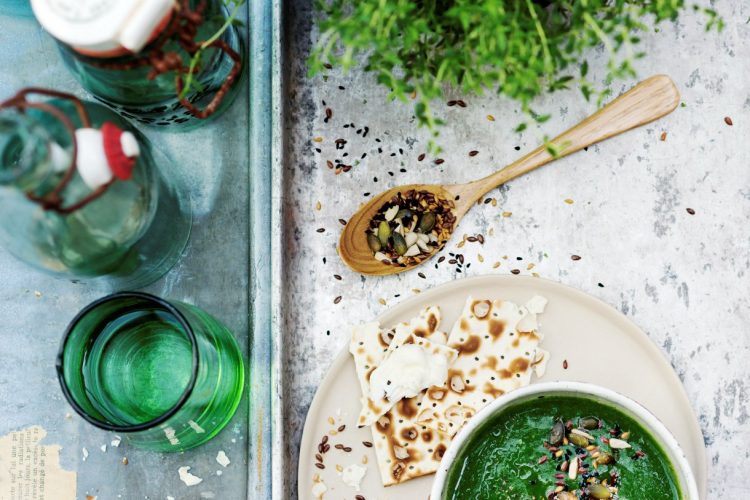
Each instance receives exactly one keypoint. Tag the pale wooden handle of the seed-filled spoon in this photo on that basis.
(644, 103)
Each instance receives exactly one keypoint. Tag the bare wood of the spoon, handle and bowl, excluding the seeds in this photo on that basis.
(647, 101)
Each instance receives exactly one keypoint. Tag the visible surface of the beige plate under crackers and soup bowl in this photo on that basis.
(601, 347)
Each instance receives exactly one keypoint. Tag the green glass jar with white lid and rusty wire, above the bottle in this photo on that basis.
(136, 55)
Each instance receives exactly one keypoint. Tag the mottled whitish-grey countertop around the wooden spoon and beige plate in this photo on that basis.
(681, 277)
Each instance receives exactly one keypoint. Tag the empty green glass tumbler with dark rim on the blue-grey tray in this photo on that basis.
(166, 375)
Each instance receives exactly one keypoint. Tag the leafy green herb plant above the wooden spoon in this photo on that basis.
(516, 48)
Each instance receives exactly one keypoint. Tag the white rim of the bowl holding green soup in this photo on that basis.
(685, 476)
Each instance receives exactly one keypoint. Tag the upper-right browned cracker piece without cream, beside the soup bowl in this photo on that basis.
(498, 344)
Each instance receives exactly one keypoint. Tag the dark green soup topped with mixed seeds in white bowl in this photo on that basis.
(527, 450)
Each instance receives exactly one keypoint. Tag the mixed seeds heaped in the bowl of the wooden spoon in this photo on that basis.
(410, 227)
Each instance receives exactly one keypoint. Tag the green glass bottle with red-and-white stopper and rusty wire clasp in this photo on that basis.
(81, 196)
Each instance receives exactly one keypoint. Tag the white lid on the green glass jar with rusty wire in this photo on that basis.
(102, 25)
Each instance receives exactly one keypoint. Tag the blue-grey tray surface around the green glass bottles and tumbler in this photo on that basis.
(213, 274)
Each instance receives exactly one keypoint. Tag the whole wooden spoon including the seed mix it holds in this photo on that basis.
(405, 226)
